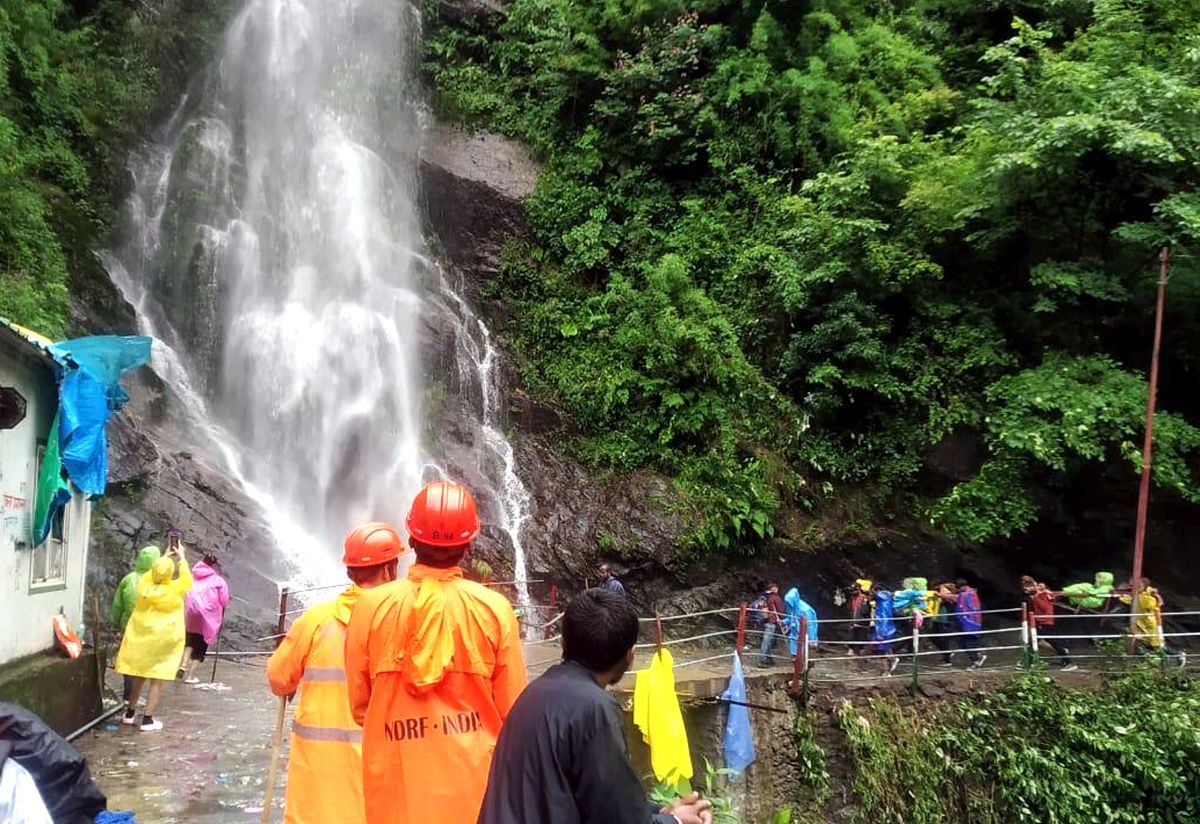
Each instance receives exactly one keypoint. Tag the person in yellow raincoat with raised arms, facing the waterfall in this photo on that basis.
(154, 636)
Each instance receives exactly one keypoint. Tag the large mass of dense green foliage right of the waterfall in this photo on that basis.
(785, 249)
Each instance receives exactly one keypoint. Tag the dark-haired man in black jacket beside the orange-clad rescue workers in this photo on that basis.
(562, 757)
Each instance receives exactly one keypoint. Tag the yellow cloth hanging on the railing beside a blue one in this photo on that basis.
(657, 714)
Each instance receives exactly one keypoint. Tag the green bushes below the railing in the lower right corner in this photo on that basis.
(1034, 753)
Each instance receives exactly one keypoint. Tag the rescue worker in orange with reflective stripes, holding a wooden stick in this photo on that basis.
(326, 766)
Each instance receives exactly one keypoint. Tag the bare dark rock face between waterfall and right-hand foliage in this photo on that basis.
(473, 185)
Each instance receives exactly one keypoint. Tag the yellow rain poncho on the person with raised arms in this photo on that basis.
(154, 637)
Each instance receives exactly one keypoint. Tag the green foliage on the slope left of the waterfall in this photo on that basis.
(79, 82)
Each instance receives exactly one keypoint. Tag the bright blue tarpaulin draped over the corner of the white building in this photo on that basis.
(89, 390)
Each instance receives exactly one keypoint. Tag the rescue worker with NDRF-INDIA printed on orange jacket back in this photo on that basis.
(435, 665)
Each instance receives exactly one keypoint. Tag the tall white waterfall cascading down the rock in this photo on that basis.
(273, 248)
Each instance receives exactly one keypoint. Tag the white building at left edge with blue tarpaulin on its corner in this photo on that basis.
(37, 584)
